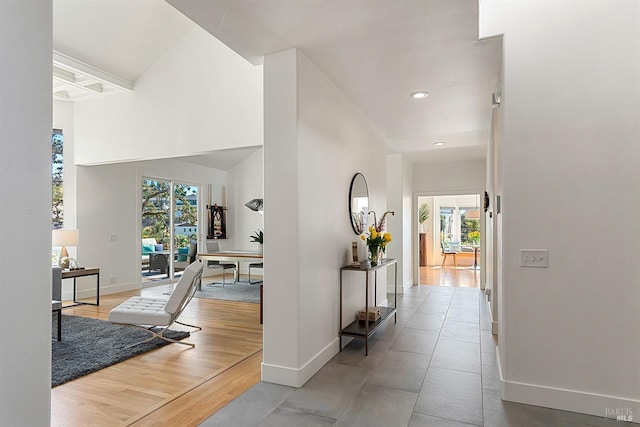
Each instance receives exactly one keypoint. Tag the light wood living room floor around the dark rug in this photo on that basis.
(173, 385)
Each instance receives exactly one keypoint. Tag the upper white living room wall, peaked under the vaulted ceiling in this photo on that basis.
(200, 96)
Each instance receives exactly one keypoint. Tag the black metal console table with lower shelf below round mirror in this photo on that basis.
(364, 328)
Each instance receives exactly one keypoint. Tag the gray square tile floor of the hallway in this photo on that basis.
(435, 367)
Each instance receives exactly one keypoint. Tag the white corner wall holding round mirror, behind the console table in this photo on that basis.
(315, 141)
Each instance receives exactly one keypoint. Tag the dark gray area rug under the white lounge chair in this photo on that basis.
(89, 345)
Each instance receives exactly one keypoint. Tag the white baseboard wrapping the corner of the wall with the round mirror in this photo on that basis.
(297, 377)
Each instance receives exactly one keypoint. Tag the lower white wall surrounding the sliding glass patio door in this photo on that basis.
(109, 203)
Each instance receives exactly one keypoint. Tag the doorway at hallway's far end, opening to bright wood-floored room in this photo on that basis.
(449, 240)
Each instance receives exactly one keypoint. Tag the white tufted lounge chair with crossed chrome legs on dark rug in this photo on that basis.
(160, 313)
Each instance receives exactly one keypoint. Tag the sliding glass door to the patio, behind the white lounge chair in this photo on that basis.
(169, 224)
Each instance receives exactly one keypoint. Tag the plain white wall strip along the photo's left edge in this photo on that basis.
(25, 253)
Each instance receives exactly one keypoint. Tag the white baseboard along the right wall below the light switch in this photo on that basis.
(570, 400)
